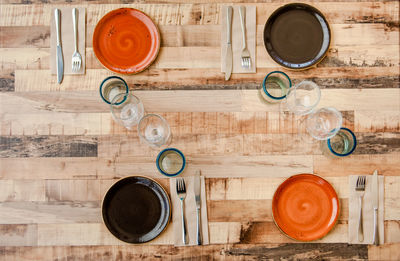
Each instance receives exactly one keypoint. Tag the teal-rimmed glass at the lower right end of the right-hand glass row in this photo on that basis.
(341, 145)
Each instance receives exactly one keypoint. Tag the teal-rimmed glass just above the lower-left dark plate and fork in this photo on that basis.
(170, 162)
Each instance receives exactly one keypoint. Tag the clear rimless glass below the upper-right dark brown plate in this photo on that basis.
(302, 98)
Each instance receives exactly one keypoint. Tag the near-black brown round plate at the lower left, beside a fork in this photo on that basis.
(136, 209)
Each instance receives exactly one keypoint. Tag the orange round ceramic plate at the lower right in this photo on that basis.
(305, 207)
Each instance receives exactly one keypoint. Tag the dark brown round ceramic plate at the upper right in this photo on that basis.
(297, 36)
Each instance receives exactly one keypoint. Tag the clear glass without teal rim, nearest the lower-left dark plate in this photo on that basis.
(154, 130)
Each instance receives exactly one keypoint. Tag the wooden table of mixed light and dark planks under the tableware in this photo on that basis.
(61, 150)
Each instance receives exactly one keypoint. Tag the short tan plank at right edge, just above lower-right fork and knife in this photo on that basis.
(386, 164)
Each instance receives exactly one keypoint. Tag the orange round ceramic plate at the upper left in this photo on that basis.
(126, 41)
